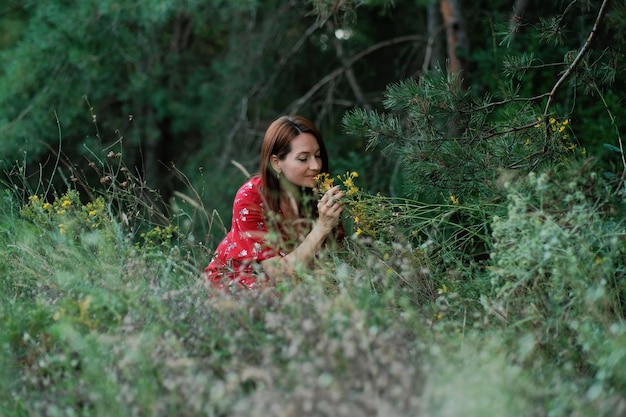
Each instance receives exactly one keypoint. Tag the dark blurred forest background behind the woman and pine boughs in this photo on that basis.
(181, 89)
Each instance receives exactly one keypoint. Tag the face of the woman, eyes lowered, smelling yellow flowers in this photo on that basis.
(302, 163)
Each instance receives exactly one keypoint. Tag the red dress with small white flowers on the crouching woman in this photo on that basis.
(237, 258)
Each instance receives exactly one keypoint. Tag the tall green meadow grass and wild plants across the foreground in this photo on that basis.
(104, 317)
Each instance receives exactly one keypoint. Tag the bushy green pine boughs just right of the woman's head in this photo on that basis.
(452, 144)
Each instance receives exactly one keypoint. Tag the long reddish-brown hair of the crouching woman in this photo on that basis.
(277, 141)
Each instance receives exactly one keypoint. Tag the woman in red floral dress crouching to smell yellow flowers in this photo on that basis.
(273, 230)
